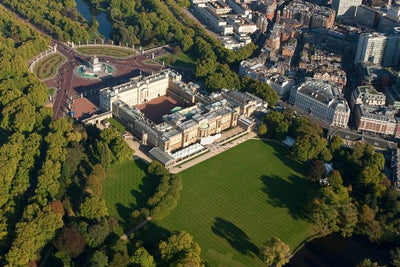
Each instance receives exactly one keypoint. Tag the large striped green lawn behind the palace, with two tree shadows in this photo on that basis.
(234, 201)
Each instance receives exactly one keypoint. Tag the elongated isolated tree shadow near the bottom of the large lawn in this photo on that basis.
(235, 237)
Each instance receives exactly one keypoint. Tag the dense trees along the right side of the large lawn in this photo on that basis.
(357, 197)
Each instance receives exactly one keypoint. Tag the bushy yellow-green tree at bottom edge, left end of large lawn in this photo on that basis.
(180, 248)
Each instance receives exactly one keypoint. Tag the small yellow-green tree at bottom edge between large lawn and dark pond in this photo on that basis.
(274, 252)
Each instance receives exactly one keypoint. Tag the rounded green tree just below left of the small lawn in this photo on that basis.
(93, 207)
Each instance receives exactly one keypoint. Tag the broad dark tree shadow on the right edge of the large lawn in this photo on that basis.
(291, 194)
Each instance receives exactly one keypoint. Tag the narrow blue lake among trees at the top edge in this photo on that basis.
(105, 25)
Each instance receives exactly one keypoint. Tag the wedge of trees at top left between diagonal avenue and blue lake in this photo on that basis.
(59, 18)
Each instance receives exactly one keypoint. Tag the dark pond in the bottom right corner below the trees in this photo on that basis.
(334, 250)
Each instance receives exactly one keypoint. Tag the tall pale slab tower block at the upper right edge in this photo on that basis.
(380, 49)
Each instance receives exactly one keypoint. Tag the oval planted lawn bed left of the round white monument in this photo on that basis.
(48, 66)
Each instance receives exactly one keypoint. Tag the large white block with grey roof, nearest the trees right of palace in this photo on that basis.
(322, 100)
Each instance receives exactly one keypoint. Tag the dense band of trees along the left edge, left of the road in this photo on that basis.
(22, 120)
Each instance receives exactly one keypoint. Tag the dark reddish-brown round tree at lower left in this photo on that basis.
(70, 242)
